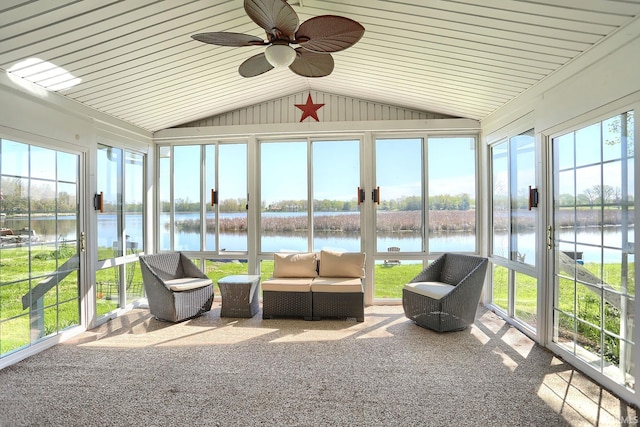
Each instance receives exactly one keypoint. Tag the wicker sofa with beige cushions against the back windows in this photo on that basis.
(315, 286)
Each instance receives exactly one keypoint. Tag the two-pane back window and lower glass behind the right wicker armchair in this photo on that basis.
(408, 172)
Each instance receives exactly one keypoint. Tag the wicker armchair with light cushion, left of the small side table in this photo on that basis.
(176, 288)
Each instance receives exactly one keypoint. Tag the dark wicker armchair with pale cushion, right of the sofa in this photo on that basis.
(445, 296)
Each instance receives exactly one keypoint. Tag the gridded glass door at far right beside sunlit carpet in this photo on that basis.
(593, 246)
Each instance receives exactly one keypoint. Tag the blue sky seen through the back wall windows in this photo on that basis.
(336, 169)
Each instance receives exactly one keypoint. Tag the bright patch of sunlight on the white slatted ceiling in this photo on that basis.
(44, 73)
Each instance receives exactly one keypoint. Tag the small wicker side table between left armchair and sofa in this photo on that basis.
(239, 295)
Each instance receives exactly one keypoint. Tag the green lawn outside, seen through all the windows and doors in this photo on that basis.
(60, 303)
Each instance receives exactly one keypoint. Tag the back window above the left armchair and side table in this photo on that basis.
(194, 218)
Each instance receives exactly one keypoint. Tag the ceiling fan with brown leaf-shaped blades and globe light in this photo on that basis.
(317, 38)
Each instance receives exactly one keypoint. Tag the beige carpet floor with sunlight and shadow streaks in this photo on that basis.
(385, 371)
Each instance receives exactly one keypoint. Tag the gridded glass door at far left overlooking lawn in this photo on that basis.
(41, 244)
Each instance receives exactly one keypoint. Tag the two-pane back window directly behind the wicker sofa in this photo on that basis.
(294, 195)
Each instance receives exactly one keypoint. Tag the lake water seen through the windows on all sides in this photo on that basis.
(65, 229)
